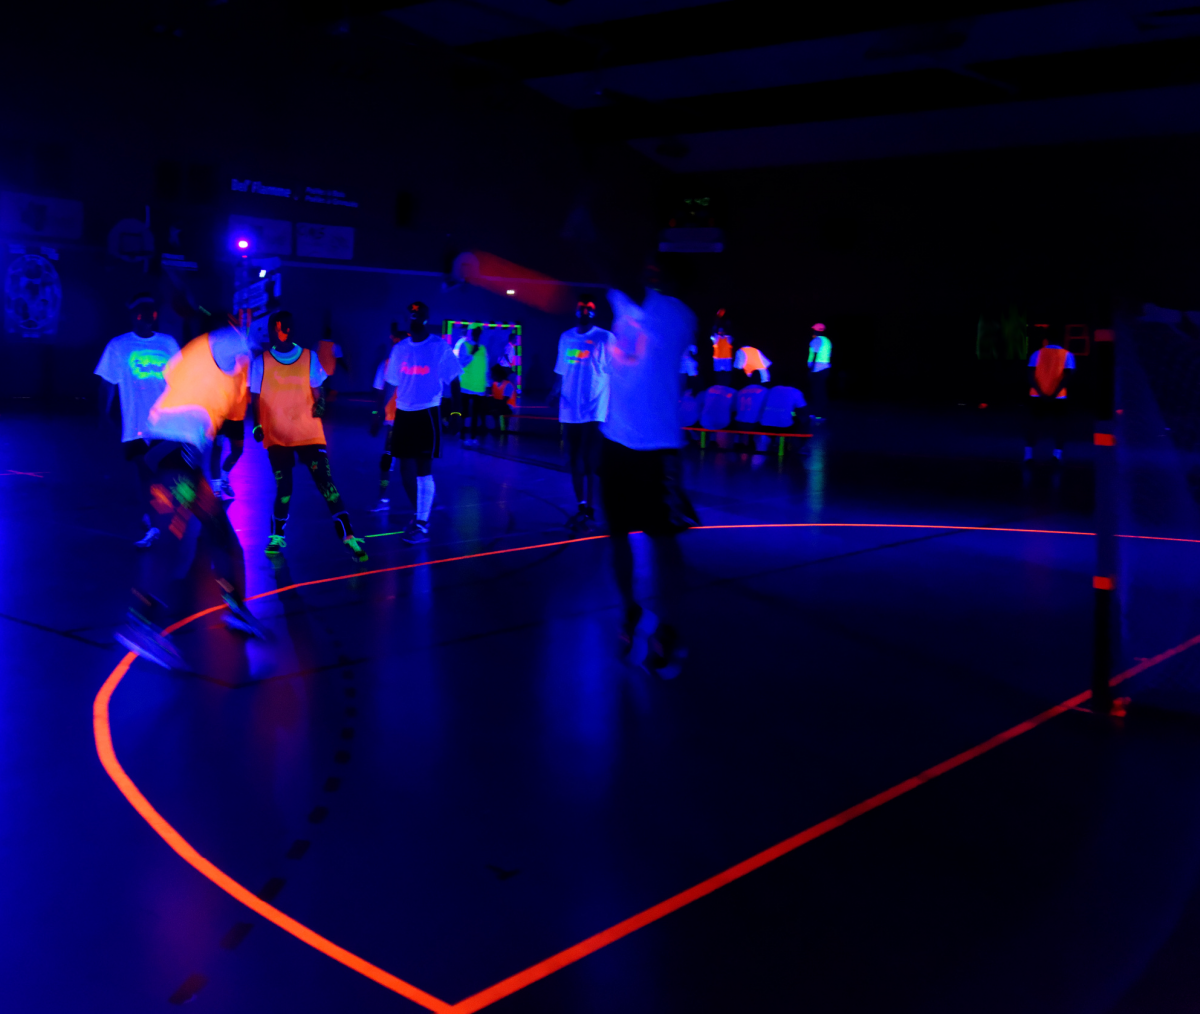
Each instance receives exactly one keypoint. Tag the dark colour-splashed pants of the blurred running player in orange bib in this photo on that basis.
(185, 509)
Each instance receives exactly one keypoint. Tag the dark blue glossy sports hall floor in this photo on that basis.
(448, 772)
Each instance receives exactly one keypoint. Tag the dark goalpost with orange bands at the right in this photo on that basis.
(1105, 451)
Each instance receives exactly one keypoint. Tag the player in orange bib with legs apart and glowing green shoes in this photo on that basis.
(287, 405)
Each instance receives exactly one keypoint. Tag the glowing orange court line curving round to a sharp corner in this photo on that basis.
(103, 733)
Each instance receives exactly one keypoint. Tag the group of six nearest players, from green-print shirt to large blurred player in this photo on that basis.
(619, 403)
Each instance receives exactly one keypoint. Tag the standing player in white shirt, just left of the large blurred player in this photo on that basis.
(583, 392)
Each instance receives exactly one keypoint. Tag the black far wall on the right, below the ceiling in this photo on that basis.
(901, 257)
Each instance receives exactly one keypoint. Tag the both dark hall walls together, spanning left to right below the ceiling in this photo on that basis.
(130, 109)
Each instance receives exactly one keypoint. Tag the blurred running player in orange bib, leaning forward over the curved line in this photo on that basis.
(203, 386)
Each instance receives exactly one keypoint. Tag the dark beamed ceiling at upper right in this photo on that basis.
(741, 83)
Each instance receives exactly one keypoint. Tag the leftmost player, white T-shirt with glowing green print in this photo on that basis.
(130, 370)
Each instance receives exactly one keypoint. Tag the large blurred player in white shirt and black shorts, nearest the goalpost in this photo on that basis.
(641, 469)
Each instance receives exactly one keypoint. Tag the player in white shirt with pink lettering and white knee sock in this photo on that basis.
(418, 370)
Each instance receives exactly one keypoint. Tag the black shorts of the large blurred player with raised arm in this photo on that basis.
(643, 491)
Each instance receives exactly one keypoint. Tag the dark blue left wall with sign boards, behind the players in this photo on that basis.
(130, 111)
